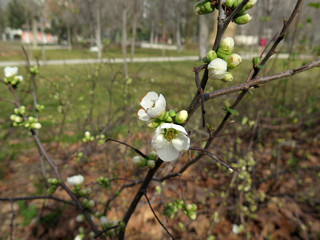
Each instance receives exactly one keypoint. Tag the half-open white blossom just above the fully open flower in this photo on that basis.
(153, 106)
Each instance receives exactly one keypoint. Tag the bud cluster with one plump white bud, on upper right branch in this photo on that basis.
(222, 61)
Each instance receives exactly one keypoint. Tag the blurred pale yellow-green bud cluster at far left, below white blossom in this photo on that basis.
(19, 121)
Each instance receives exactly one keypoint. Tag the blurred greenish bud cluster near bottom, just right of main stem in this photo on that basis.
(188, 209)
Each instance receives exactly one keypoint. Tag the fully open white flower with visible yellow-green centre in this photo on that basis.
(169, 140)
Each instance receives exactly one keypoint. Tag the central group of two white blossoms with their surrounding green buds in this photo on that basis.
(170, 138)
